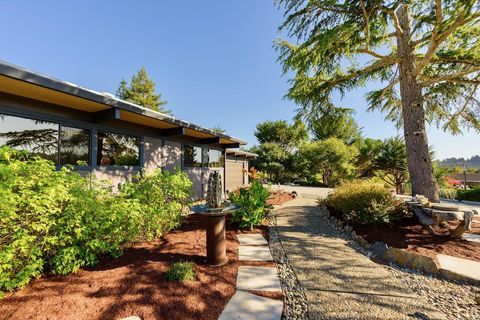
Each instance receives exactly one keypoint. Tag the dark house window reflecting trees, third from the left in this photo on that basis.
(117, 149)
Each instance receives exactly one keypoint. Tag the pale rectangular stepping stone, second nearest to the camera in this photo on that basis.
(258, 278)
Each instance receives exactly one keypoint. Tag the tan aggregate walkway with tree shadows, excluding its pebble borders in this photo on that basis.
(339, 282)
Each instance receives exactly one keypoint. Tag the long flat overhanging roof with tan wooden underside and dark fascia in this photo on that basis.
(23, 82)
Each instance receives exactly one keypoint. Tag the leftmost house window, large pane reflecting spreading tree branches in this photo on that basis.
(37, 137)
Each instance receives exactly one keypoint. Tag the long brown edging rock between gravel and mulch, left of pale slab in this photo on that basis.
(412, 260)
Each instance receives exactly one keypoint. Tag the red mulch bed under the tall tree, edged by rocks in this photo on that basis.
(411, 235)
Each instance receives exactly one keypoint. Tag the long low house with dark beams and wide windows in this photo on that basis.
(112, 139)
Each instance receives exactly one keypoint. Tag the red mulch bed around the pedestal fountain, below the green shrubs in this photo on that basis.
(134, 284)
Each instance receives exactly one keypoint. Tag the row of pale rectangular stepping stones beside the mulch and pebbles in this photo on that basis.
(247, 306)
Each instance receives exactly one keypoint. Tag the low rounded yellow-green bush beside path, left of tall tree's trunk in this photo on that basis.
(365, 203)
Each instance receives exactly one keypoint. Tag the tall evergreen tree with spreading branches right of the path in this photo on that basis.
(426, 53)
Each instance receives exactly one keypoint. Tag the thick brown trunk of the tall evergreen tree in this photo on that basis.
(418, 156)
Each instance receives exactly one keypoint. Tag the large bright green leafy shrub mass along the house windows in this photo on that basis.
(56, 220)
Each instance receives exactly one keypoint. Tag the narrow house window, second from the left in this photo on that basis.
(74, 145)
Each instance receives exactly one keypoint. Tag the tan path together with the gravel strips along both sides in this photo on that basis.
(325, 276)
